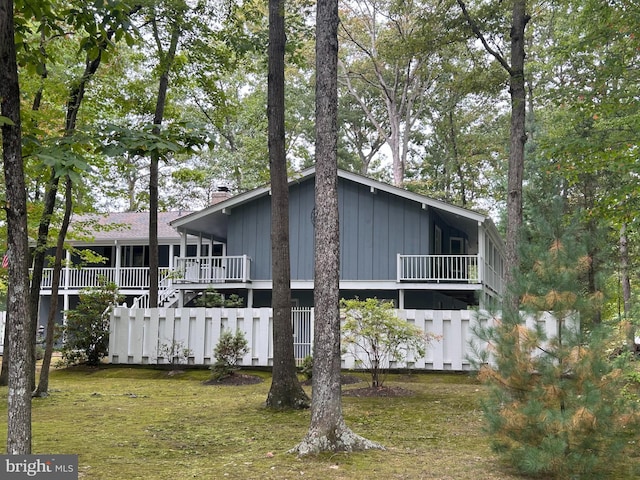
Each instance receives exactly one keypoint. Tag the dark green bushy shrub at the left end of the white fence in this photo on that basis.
(86, 333)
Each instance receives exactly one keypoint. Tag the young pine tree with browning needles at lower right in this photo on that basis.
(556, 407)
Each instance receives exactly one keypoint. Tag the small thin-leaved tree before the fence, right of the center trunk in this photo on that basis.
(374, 335)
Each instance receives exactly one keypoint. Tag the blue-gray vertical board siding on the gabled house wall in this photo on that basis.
(374, 227)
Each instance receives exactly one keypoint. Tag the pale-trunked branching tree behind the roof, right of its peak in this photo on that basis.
(388, 66)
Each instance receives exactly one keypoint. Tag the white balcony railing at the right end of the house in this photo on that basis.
(438, 268)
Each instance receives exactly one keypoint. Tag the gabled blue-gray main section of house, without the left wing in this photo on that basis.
(397, 245)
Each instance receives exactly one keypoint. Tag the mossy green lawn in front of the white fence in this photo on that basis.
(134, 423)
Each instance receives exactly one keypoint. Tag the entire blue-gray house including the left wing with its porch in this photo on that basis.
(419, 252)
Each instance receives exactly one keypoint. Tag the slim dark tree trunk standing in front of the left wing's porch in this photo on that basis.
(166, 62)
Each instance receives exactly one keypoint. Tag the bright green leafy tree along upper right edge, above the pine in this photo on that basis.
(587, 138)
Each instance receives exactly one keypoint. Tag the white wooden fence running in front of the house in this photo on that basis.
(137, 335)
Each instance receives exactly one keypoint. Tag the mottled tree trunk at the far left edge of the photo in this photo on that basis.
(20, 361)
